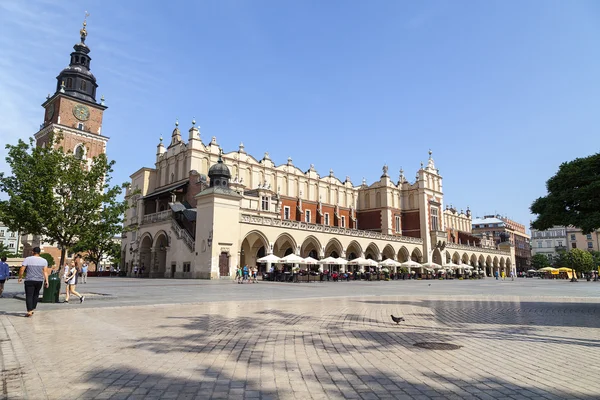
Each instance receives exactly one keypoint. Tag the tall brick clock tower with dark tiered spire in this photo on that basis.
(72, 111)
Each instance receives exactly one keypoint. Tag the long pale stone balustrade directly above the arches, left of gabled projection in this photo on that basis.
(334, 230)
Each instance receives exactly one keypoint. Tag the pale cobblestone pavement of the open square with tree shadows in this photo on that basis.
(512, 347)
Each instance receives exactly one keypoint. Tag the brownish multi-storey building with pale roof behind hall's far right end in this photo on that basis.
(495, 227)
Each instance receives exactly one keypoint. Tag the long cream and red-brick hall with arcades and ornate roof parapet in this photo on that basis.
(199, 213)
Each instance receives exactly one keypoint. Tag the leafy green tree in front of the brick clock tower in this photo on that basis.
(54, 194)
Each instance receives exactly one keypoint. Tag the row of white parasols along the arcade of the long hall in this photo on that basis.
(360, 261)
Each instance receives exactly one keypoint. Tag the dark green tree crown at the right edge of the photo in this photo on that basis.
(572, 196)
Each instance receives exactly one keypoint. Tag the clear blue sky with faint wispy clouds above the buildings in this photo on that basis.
(502, 92)
